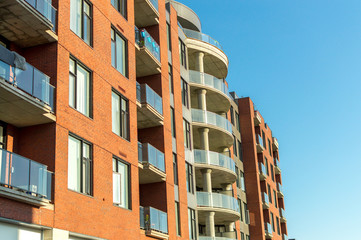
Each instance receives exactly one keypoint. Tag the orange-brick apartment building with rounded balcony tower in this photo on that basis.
(116, 123)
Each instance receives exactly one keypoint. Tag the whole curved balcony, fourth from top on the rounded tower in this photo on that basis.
(223, 167)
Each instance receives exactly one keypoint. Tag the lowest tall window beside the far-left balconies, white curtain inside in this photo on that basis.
(80, 165)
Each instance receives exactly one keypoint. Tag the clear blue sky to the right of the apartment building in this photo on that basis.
(300, 62)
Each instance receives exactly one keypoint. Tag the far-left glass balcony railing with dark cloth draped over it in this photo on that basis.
(31, 81)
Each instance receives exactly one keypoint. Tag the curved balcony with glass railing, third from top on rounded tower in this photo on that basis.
(220, 129)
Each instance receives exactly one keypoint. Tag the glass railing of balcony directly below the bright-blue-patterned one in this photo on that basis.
(147, 95)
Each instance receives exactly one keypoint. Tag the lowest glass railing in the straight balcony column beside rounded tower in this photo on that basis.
(153, 219)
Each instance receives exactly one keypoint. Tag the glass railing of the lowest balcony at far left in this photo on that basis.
(25, 175)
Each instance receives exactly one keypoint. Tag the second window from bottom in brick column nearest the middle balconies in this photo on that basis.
(120, 115)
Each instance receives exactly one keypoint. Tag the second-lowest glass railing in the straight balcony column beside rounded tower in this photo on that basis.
(155, 157)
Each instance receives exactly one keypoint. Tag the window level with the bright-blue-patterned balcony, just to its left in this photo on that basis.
(119, 52)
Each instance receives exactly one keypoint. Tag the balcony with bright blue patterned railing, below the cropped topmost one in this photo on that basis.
(147, 54)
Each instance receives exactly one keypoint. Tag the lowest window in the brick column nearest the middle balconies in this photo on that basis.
(121, 185)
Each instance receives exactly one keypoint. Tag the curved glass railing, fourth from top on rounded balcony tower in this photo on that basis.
(214, 158)
